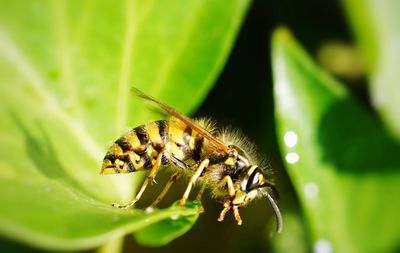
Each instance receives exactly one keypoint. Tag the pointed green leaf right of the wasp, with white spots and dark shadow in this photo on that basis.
(345, 167)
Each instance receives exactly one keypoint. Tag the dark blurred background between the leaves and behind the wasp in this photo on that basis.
(243, 97)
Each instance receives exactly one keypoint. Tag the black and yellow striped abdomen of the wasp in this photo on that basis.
(139, 147)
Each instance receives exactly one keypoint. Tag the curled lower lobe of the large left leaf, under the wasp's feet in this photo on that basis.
(67, 219)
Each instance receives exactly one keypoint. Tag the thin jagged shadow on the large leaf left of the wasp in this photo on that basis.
(41, 152)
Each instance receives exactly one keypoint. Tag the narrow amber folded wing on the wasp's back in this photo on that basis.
(171, 111)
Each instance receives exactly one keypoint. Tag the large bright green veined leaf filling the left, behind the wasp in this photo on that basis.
(66, 69)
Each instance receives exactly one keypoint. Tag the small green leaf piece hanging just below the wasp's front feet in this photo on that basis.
(167, 230)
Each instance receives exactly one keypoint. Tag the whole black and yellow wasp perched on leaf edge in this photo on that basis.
(220, 160)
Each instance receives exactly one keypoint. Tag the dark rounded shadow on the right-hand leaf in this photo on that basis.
(355, 141)
